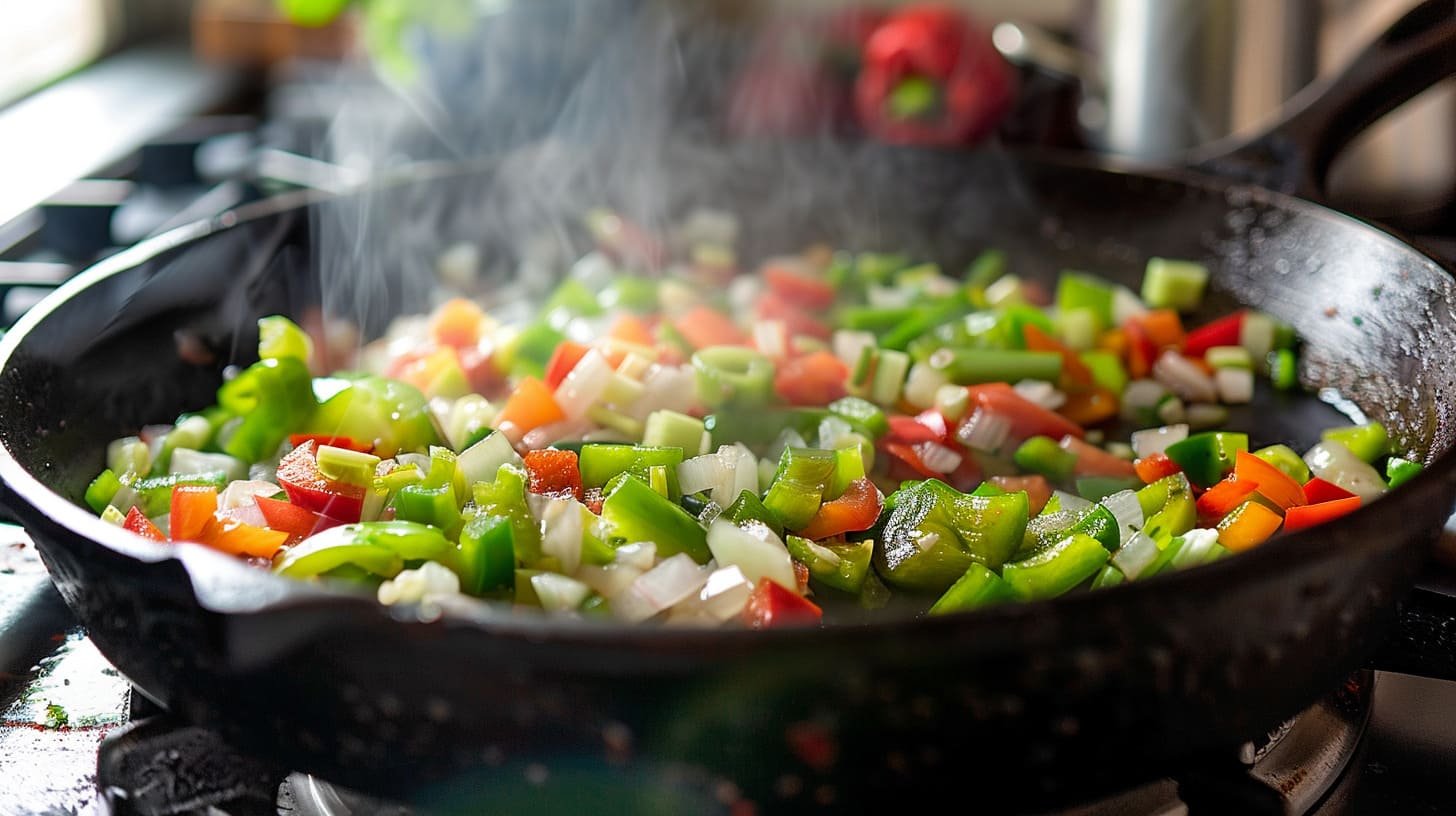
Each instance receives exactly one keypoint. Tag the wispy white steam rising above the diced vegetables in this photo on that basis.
(563, 107)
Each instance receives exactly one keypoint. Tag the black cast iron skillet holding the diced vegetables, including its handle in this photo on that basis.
(1026, 702)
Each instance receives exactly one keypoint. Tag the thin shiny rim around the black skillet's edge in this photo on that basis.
(276, 594)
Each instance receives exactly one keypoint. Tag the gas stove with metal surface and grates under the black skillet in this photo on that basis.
(76, 738)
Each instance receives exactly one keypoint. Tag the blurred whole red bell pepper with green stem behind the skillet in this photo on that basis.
(933, 76)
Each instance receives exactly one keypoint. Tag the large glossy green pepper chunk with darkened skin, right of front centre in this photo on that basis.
(935, 534)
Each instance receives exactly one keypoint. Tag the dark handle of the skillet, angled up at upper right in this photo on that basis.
(1295, 154)
